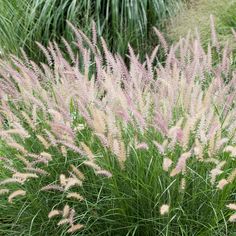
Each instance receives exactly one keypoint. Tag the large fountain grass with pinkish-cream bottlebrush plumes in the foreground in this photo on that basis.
(137, 150)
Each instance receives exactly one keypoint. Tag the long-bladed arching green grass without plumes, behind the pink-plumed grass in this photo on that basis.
(119, 22)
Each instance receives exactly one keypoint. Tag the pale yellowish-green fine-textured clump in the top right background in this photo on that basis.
(197, 16)
